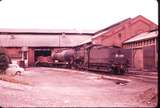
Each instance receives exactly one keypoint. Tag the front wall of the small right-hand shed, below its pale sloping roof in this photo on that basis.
(144, 54)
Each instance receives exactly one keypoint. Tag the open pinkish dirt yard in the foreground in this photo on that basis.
(51, 87)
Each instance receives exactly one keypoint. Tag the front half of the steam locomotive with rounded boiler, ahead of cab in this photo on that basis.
(62, 58)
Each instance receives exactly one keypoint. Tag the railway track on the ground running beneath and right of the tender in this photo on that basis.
(149, 77)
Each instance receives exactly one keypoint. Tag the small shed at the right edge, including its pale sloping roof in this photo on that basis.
(144, 50)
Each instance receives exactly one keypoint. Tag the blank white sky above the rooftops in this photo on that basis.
(73, 14)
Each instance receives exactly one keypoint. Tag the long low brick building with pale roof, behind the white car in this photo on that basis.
(27, 45)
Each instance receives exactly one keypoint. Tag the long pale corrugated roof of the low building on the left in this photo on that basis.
(42, 40)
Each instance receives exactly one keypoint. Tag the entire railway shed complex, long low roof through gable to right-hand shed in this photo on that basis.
(28, 44)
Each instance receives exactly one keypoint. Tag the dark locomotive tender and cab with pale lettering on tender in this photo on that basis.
(103, 58)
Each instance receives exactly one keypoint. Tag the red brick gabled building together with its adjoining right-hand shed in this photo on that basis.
(136, 34)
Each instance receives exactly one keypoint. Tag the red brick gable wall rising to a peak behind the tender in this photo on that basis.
(117, 35)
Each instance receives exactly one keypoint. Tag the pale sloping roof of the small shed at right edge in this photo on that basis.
(143, 36)
